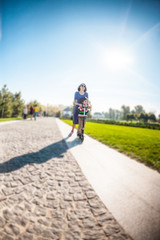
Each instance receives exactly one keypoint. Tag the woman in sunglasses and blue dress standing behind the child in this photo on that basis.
(81, 93)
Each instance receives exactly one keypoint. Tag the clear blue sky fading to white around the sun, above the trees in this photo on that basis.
(47, 48)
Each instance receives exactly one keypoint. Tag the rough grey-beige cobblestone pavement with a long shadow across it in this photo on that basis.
(43, 192)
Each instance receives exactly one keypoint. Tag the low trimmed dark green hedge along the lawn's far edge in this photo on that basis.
(129, 124)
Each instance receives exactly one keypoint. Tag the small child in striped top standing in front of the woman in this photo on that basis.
(82, 114)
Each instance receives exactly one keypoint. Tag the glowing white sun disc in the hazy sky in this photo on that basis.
(118, 59)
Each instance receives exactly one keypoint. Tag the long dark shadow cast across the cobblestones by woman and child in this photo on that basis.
(45, 154)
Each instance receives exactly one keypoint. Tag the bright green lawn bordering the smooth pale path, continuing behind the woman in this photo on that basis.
(139, 143)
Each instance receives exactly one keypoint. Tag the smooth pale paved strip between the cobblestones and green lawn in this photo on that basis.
(129, 189)
